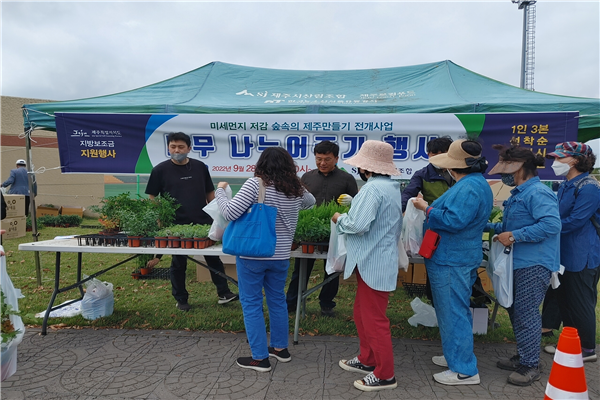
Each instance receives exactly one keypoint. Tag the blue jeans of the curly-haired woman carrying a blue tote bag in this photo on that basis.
(253, 276)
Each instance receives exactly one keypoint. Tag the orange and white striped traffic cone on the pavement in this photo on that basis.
(567, 377)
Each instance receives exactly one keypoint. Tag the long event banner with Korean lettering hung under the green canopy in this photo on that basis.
(230, 144)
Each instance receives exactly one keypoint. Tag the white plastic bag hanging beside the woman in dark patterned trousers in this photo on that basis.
(502, 273)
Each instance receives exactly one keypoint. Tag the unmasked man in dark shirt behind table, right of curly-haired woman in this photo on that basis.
(326, 183)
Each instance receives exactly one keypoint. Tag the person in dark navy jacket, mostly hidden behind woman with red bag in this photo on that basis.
(430, 181)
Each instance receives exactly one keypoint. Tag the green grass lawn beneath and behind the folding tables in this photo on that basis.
(148, 304)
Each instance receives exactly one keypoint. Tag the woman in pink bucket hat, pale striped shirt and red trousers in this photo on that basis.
(372, 228)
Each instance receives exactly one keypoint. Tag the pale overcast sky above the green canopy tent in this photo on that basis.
(77, 49)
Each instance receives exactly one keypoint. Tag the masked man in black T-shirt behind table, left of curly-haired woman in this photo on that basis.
(189, 182)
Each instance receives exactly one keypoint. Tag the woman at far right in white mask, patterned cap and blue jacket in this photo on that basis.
(579, 206)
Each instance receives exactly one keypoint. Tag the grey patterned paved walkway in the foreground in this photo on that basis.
(134, 364)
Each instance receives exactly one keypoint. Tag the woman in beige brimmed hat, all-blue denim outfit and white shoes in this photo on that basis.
(459, 217)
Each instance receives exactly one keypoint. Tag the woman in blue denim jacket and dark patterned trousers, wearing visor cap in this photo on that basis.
(531, 227)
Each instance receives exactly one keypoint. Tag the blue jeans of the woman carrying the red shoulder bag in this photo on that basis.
(451, 288)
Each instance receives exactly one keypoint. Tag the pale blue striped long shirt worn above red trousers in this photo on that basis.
(372, 228)
